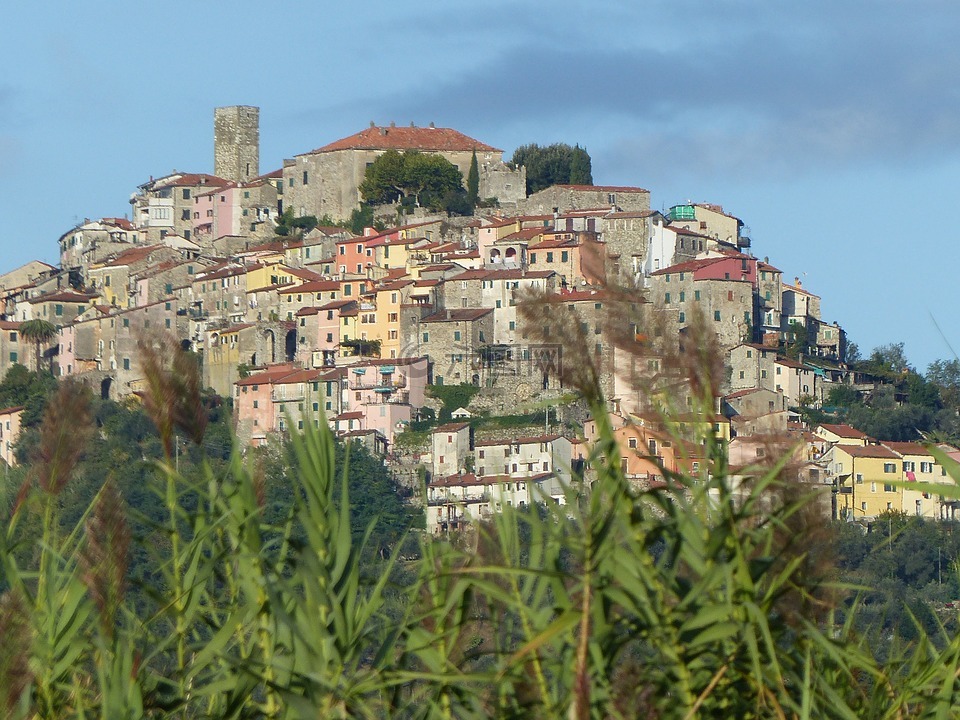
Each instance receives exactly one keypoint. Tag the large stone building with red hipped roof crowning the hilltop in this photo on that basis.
(326, 181)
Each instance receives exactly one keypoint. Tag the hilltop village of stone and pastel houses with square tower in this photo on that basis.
(297, 323)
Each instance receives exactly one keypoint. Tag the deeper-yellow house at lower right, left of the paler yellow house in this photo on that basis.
(867, 480)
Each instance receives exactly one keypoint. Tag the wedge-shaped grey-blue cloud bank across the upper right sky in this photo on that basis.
(791, 91)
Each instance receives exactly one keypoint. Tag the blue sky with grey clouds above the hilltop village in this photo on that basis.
(832, 128)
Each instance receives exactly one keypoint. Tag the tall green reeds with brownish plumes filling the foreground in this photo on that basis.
(693, 599)
